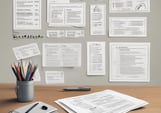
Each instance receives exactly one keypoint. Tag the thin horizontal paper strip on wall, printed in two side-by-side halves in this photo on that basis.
(65, 33)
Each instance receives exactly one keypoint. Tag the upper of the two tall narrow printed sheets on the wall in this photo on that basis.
(98, 19)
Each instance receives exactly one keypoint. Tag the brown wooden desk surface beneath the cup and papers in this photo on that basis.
(49, 94)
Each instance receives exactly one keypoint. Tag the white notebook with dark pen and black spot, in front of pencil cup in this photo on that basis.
(36, 107)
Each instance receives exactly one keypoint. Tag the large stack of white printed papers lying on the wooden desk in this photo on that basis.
(106, 101)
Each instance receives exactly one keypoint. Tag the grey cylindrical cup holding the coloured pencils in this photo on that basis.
(25, 91)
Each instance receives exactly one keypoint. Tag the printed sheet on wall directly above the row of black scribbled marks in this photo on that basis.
(26, 14)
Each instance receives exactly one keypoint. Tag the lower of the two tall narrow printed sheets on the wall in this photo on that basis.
(95, 58)
